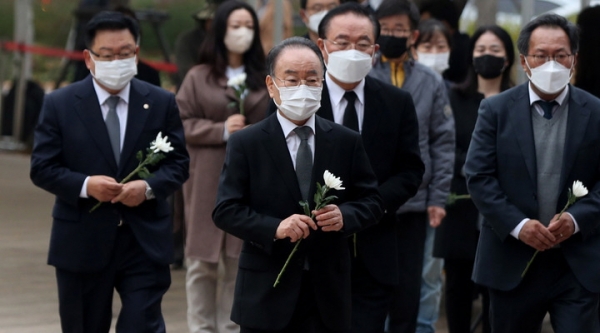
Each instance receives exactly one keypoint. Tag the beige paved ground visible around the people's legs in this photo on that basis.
(28, 300)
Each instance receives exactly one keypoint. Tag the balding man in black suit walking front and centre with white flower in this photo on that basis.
(258, 201)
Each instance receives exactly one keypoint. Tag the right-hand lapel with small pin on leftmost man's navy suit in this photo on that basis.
(140, 105)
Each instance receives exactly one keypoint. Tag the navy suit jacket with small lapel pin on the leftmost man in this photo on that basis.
(71, 143)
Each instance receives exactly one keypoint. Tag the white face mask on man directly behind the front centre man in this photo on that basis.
(349, 66)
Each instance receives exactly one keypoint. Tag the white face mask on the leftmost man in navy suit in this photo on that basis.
(115, 74)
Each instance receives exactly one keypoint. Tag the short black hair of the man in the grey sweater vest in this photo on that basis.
(548, 20)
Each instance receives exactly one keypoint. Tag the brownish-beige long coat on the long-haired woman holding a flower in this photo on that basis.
(204, 106)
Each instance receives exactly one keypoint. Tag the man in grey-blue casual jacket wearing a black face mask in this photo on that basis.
(418, 217)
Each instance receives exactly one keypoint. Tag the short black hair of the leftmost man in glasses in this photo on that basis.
(109, 20)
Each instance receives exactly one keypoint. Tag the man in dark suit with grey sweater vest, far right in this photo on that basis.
(530, 144)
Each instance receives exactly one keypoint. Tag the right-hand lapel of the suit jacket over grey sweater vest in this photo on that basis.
(577, 122)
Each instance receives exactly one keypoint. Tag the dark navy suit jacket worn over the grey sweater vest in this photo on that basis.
(501, 175)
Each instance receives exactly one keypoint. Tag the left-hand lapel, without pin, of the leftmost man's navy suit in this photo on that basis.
(90, 114)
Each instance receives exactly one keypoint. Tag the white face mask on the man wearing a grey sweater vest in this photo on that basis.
(551, 77)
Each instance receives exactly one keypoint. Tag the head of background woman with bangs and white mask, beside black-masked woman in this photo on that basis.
(432, 46)
